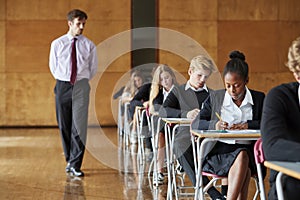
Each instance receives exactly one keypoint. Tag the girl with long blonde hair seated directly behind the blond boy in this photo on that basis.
(163, 81)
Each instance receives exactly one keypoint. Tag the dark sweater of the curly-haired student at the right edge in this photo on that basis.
(280, 125)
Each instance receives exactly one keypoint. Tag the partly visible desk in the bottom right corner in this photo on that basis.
(288, 168)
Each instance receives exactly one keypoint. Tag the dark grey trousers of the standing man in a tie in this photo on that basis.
(72, 102)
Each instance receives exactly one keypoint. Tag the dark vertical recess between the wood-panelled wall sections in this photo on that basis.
(144, 41)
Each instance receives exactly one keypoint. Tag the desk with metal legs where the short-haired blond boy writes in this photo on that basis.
(169, 142)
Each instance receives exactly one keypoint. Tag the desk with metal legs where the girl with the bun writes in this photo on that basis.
(209, 136)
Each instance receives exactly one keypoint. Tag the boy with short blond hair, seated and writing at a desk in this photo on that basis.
(185, 101)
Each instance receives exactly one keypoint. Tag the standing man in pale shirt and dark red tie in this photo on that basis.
(73, 62)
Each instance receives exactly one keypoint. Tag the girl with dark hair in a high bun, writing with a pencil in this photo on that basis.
(239, 108)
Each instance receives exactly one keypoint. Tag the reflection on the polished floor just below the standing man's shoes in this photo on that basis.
(74, 189)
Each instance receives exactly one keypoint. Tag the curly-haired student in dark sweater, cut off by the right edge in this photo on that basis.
(280, 125)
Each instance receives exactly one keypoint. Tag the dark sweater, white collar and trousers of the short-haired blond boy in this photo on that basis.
(179, 102)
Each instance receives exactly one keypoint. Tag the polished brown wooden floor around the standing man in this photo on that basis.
(32, 166)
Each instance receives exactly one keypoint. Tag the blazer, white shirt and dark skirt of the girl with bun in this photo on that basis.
(220, 156)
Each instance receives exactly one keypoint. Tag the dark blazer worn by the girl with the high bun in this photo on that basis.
(206, 119)
